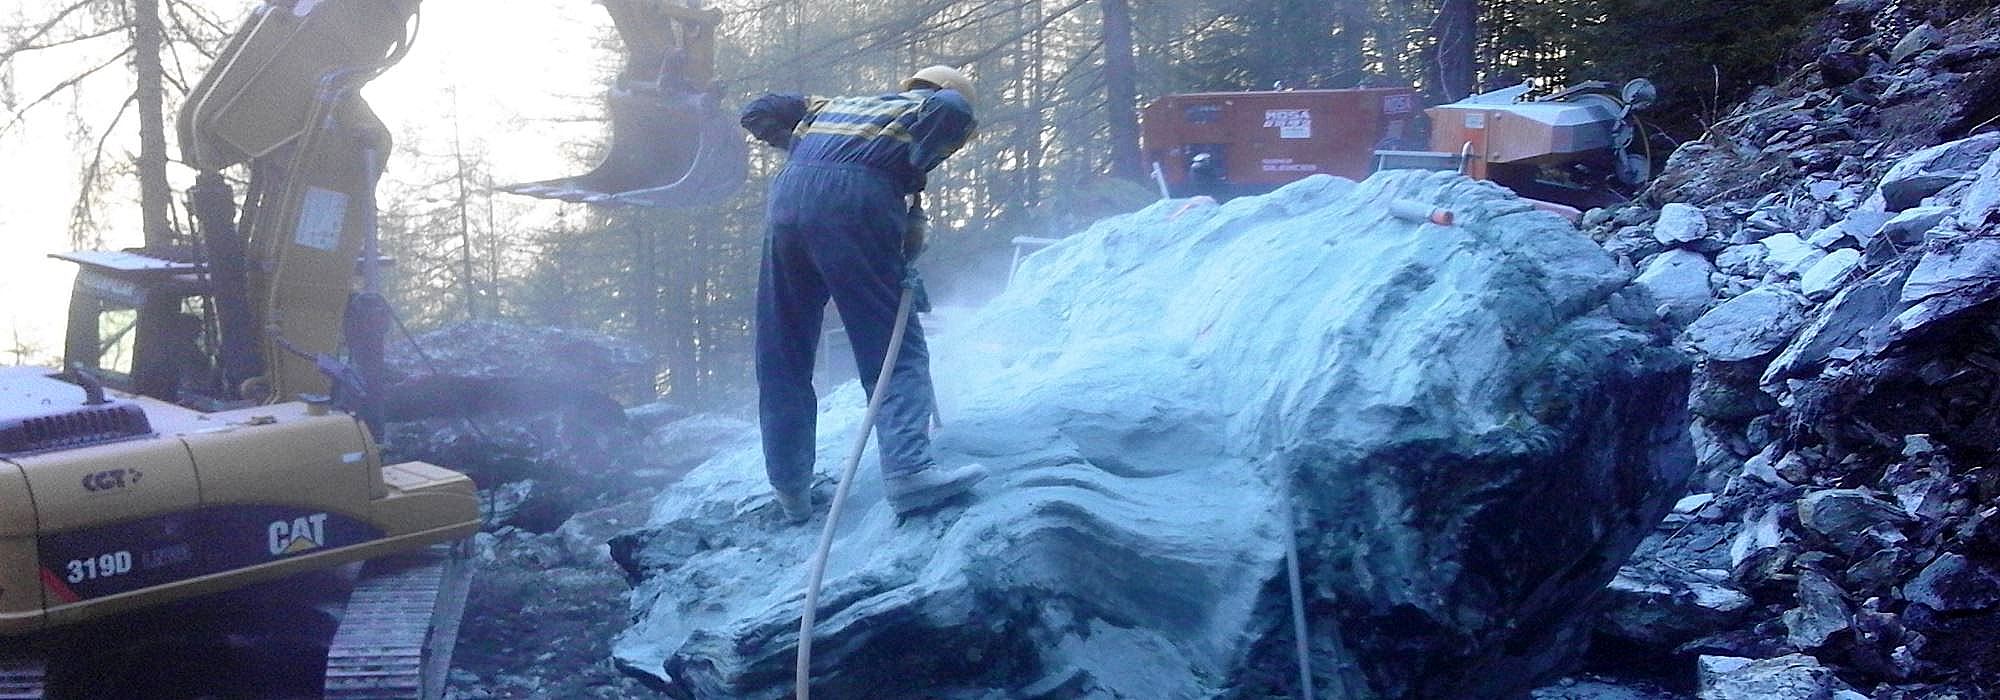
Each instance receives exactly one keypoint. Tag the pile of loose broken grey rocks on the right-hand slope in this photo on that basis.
(1835, 253)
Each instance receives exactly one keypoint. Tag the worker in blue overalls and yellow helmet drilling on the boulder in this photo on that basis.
(843, 225)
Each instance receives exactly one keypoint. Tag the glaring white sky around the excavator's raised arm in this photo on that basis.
(521, 71)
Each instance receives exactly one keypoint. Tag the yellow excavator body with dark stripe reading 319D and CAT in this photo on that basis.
(135, 503)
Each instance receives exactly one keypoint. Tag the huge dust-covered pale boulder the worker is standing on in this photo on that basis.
(1149, 395)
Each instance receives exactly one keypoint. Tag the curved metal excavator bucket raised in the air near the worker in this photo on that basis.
(673, 145)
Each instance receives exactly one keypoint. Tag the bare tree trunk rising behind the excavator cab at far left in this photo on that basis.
(153, 193)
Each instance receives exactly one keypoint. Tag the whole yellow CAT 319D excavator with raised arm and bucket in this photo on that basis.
(211, 451)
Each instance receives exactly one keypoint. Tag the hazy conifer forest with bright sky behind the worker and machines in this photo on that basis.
(1059, 89)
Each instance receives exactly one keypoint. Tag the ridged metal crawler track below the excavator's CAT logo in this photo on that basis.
(395, 641)
